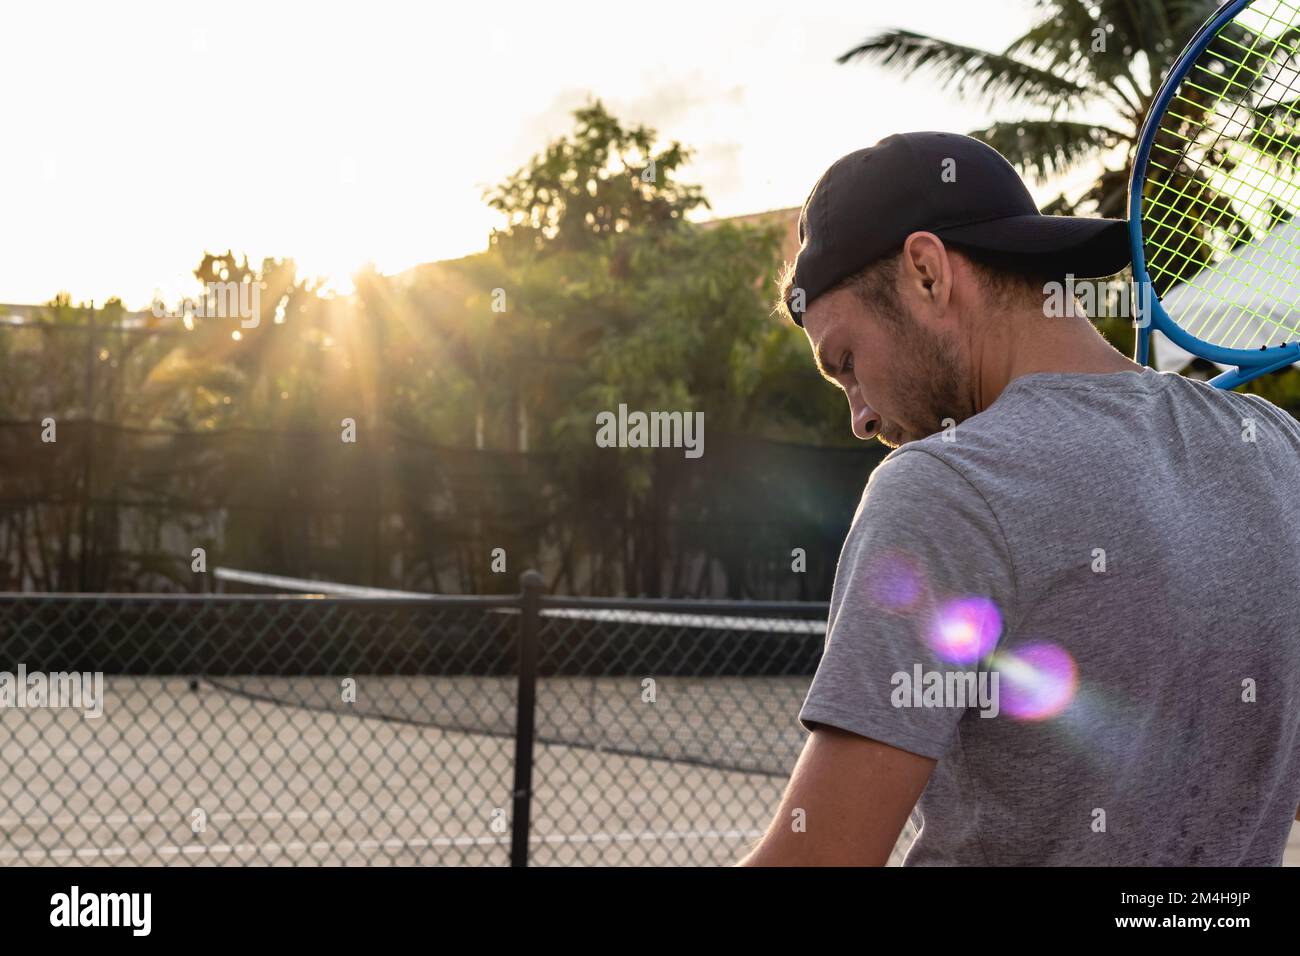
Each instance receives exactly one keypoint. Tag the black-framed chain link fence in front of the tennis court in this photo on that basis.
(297, 730)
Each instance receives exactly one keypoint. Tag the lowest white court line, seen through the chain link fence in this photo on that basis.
(93, 853)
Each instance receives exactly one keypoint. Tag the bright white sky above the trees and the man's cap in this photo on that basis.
(138, 135)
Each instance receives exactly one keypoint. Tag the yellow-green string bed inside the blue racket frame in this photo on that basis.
(1221, 180)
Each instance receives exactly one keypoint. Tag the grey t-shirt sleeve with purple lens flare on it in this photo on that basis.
(925, 586)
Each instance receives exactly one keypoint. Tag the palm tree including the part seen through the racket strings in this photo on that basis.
(1100, 63)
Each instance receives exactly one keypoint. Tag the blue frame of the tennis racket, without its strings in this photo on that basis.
(1250, 364)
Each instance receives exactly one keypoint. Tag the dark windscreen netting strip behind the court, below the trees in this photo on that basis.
(118, 509)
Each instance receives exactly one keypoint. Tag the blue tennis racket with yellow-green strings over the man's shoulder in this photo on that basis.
(1215, 196)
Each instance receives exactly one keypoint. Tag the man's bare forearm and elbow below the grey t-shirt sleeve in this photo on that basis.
(855, 794)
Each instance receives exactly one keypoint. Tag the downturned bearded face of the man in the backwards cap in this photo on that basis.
(902, 379)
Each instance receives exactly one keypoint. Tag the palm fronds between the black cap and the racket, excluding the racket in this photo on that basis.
(1095, 59)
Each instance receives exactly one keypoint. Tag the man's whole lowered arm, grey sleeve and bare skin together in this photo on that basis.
(922, 537)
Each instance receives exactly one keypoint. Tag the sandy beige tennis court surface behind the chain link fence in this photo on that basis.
(284, 785)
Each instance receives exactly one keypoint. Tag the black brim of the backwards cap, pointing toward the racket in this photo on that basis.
(1086, 248)
